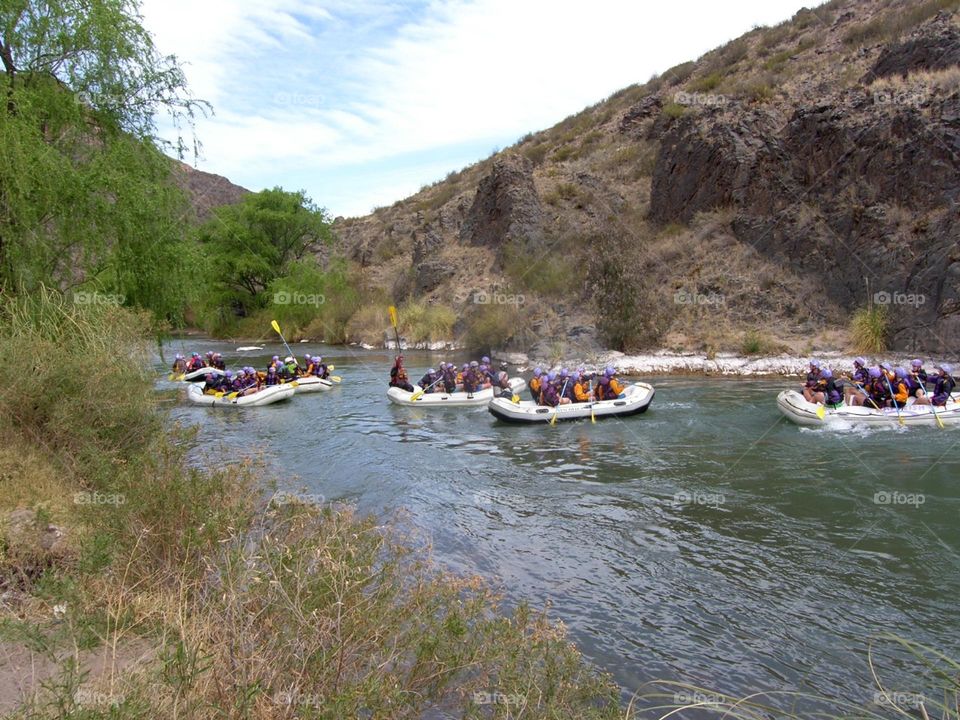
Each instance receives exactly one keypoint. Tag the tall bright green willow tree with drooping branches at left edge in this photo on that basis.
(87, 198)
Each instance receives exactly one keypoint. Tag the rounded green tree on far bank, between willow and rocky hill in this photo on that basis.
(251, 244)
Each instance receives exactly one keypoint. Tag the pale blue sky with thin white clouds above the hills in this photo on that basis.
(361, 103)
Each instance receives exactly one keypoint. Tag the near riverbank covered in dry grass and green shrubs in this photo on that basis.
(135, 584)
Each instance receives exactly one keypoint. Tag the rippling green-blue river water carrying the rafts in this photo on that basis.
(707, 541)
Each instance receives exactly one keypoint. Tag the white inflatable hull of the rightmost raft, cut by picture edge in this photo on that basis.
(795, 407)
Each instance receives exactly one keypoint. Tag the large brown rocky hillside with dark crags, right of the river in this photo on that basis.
(750, 200)
